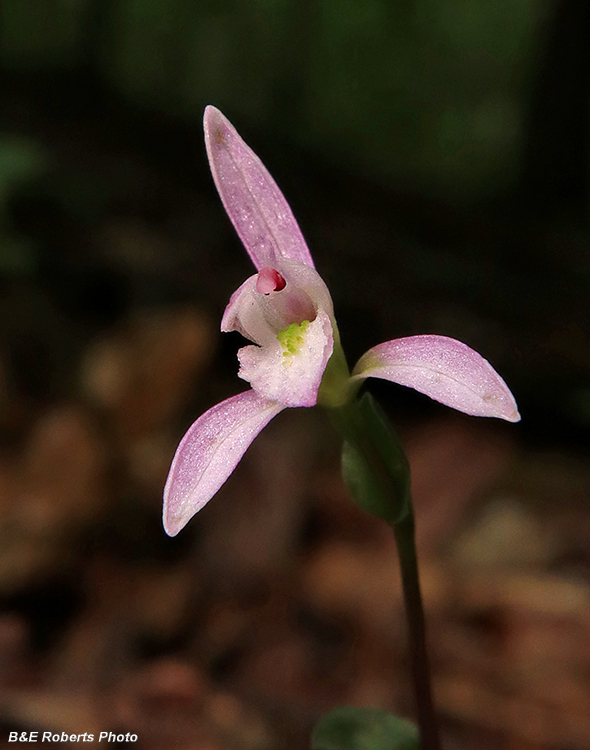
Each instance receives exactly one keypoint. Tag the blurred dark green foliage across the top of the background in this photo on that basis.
(429, 92)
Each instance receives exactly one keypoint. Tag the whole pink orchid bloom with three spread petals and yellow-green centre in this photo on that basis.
(296, 359)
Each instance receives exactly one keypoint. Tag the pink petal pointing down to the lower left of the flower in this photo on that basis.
(209, 452)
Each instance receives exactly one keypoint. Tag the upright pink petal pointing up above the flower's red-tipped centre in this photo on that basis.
(258, 210)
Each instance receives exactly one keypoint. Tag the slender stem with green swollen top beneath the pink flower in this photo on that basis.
(362, 424)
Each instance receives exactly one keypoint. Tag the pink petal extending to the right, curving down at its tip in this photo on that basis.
(444, 369)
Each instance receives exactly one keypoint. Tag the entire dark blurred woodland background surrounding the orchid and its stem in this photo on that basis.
(435, 153)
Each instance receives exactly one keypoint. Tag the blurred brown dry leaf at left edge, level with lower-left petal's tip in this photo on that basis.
(49, 493)
